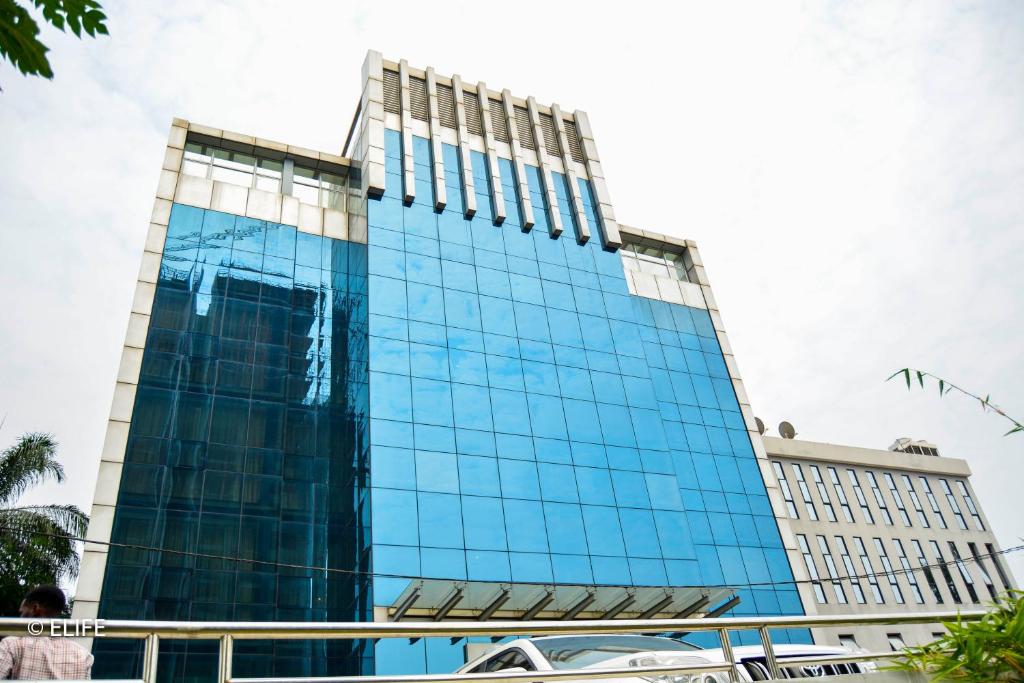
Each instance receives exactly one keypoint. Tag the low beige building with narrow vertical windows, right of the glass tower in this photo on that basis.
(883, 532)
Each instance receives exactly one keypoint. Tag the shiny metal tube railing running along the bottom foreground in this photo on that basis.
(228, 632)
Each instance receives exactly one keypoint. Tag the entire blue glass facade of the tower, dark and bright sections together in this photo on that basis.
(319, 422)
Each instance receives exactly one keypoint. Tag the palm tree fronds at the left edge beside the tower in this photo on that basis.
(37, 543)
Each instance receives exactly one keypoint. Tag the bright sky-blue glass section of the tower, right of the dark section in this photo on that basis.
(532, 421)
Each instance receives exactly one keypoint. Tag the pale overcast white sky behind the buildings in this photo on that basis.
(854, 175)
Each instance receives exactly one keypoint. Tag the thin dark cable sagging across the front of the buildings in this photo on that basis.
(358, 573)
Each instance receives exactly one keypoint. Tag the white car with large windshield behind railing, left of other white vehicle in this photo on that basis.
(600, 652)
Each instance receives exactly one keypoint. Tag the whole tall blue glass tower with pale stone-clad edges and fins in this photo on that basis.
(431, 378)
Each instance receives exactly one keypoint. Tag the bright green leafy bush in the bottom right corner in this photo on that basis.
(990, 650)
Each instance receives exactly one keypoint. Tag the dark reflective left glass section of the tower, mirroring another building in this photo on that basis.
(248, 441)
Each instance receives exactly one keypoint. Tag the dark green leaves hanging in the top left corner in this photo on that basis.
(20, 33)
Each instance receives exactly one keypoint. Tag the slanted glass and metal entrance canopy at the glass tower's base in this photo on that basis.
(439, 600)
